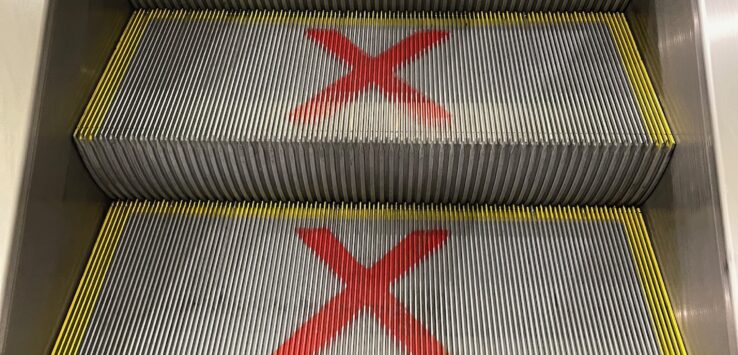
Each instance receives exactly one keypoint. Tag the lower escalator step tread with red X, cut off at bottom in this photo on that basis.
(185, 278)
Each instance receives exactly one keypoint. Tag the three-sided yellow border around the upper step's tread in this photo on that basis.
(649, 107)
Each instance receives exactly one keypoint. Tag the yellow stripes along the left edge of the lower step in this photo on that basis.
(85, 297)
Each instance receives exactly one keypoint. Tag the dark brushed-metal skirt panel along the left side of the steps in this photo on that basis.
(60, 207)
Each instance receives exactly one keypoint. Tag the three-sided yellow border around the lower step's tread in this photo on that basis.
(662, 316)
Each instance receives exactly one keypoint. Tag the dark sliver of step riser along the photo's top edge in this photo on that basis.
(389, 5)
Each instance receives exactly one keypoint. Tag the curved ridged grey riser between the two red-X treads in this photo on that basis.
(386, 173)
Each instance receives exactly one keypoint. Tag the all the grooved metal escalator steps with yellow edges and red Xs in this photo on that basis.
(441, 180)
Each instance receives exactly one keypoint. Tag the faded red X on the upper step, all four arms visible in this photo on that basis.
(367, 70)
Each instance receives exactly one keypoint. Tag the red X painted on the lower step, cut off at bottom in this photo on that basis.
(366, 287)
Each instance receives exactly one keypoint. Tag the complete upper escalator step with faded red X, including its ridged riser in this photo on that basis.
(494, 108)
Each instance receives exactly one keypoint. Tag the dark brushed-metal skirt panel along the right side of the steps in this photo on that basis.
(684, 212)
